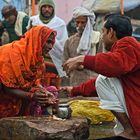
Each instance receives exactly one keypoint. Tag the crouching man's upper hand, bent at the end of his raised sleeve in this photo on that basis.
(74, 63)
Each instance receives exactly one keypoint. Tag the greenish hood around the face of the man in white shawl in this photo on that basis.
(46, 2)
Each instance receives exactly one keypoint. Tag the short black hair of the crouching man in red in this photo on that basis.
(120, 24)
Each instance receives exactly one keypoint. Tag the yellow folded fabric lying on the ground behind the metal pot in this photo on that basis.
(91, 110)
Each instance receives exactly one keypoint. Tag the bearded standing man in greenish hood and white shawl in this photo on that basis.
(48, 18)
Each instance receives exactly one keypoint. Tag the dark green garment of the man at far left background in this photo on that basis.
(11, 28)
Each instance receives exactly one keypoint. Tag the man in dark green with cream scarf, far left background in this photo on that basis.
(14, 24)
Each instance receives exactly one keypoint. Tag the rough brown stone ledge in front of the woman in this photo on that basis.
(43, 128)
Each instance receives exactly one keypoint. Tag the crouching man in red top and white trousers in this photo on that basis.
(118, 83)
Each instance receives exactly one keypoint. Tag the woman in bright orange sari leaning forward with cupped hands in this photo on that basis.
(21, 72)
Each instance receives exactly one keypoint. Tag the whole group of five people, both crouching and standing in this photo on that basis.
(36, 54)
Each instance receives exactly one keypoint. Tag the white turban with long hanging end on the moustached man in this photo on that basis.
(85, 41)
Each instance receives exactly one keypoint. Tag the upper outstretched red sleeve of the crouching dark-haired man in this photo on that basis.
(115, 63)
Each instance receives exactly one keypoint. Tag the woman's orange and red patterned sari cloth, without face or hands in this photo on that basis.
(22, 64)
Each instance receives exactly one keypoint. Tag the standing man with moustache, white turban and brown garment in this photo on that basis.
(85, 41)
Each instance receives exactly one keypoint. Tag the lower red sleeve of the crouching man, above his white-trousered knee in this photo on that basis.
(85, 89)
